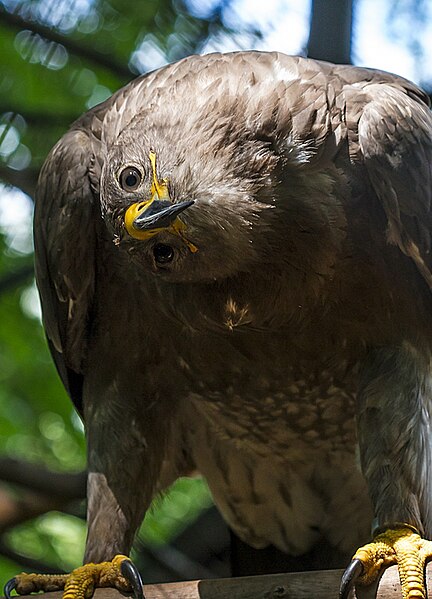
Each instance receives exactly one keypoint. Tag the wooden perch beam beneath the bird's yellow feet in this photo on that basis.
(299, 585)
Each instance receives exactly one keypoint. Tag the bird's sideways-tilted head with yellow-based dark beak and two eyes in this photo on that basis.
(187, 212)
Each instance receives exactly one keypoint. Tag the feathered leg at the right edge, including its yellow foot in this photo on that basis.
(396, 453)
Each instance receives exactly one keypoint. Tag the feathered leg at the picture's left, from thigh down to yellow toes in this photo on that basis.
(125, 443)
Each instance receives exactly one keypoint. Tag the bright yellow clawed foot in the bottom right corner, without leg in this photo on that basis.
(402, 546)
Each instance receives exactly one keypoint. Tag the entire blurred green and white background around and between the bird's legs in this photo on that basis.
(57, 59)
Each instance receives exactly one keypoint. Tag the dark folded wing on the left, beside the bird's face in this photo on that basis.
(65, 241)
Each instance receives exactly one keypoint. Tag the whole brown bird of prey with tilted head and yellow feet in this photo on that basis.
(233, 255)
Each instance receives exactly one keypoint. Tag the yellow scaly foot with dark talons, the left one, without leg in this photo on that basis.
(120, 573)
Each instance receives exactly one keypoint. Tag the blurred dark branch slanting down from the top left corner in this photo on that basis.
(89, 54)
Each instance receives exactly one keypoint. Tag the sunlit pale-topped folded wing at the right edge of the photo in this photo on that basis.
(395, 138)
